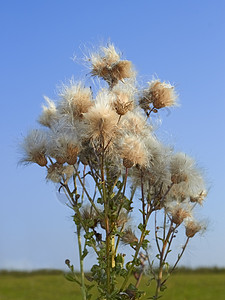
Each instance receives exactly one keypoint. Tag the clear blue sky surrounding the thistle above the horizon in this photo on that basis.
(179, 41)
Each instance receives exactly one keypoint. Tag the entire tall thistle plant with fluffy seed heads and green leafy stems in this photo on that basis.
(103, 153)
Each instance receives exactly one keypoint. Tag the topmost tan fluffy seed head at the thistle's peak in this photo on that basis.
(107, 65)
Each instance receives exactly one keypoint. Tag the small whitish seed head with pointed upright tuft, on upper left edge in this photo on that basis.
(49, 113)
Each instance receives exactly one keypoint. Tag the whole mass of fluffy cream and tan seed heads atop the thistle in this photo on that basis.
(79, 128)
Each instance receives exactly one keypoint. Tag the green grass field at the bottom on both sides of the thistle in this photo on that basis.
(184, 285)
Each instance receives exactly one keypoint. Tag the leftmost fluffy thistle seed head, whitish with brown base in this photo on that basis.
(34, 147)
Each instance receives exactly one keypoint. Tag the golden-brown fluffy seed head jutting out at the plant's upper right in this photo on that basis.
(159, 94)
